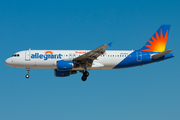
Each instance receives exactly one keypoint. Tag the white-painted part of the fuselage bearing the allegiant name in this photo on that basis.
(41, 59)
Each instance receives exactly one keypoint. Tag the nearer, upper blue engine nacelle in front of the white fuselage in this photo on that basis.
(64, 65)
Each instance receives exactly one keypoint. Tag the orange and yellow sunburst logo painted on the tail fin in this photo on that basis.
(158, 44)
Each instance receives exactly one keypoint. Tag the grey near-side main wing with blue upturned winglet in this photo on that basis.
(87, 58)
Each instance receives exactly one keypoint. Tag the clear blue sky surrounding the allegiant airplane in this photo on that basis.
(140, 93)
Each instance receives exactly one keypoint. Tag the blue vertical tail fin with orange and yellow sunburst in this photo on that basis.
(157, 43)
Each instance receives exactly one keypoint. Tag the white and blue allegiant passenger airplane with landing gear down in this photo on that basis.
(68, 62)
